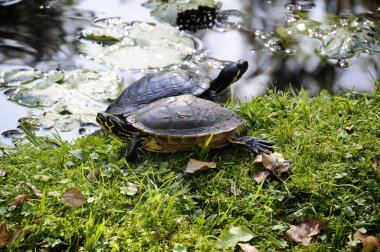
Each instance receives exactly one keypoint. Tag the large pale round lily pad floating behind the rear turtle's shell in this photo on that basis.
(136, 45)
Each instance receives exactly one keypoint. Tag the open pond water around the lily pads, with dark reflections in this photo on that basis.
(44, 35)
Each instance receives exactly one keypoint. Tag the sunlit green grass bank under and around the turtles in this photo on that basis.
(334, 177)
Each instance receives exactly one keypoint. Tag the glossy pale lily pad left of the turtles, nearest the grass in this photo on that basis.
(66, 100)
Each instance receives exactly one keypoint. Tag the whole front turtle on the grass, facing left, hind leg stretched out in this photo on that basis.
(180, 123)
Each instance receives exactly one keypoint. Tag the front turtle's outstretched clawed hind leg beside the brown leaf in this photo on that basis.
(255, 145)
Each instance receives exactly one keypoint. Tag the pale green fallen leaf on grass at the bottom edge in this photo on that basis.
(229, 238)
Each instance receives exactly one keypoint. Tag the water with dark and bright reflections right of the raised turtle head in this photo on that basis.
(296, 64)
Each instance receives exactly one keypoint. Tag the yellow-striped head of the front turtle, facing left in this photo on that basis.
(114, 125)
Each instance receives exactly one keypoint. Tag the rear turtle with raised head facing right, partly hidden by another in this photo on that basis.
(155, 86)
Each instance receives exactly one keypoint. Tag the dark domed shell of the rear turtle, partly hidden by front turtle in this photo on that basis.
(155, 86)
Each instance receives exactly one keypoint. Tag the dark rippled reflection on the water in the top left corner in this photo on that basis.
(35, 32)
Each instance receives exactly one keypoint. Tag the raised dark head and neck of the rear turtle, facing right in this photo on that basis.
(228, 75)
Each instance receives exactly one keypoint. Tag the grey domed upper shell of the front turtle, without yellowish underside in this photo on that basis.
(184, 115)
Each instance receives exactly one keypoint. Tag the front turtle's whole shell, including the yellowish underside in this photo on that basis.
(183, 122)
